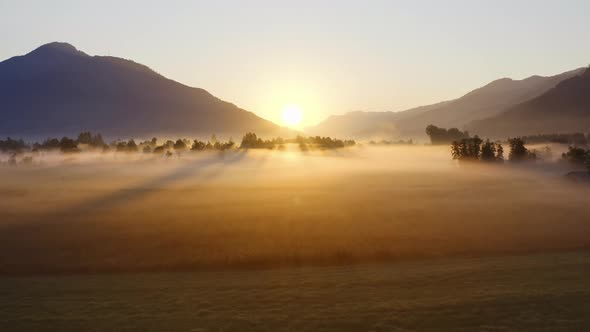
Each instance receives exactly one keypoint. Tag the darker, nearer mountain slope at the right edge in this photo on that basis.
(563, 109)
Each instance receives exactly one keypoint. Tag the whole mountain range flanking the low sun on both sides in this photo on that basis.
(57, 90)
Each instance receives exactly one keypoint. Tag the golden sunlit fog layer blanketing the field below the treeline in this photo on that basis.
(91, 212)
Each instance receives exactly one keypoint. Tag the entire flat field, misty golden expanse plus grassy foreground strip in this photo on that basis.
(366, 238)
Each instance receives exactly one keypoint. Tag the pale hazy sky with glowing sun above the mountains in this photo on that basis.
(325, 57)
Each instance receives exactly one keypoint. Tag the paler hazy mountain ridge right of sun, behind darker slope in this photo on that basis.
(481, 103)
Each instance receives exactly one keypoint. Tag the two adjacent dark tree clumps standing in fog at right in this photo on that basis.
(476, 149)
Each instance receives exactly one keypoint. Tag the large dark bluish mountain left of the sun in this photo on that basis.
(58, 90)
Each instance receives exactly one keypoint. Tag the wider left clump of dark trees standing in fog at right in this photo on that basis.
(476, 149)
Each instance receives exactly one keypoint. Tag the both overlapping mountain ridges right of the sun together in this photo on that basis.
(472, 111)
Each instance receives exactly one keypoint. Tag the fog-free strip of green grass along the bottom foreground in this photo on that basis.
(548, 292)
